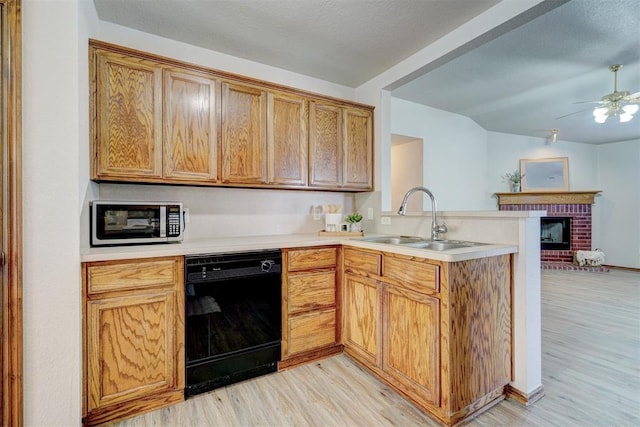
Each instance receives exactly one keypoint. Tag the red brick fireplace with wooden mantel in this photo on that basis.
(575, 205)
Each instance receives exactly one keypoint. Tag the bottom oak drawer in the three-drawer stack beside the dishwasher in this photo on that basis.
(312, 330)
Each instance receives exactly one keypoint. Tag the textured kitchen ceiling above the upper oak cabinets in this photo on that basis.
(342, 41)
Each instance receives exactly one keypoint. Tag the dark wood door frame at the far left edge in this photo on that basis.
(11, 210)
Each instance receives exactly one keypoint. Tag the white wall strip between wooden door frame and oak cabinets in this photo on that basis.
(54, 126)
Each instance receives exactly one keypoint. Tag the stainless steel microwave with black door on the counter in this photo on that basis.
(134, 223)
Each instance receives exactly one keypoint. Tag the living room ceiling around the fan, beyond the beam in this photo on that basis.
(522, 81)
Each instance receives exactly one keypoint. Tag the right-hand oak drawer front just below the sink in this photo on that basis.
(417, 275)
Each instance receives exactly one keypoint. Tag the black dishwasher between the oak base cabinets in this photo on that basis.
(233, 318)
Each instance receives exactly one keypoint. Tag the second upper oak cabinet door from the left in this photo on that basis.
(190, 140)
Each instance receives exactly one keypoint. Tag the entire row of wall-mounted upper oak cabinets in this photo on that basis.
(159, 120)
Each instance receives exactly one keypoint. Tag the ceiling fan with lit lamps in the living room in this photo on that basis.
(617, 103)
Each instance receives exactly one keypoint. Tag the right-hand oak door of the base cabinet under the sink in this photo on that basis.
(411, 346)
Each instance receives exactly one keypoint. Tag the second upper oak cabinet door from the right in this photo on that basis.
(325, 145)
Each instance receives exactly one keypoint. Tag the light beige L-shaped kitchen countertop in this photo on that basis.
(252, 243)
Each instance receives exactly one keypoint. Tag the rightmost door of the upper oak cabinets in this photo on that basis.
(358, 149)
